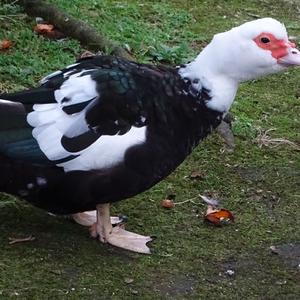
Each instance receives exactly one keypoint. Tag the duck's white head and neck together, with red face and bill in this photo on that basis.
(251, 50)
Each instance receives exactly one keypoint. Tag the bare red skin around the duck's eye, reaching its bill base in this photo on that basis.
(278, 48)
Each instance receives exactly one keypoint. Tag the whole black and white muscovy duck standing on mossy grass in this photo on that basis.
(105, 128)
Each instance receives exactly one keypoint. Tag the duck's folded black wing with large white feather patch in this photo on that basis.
(90, 113)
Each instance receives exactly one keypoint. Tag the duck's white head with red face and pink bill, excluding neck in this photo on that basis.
(254, 49)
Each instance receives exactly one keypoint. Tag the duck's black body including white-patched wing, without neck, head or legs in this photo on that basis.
(52, 133)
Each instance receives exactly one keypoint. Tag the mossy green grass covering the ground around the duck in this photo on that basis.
(190, 258)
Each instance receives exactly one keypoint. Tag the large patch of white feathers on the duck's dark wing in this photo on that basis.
(51, 123)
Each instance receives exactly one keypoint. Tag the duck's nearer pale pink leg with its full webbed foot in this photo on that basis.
(117, 236)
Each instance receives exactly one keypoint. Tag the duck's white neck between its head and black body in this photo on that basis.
(205, 71)
